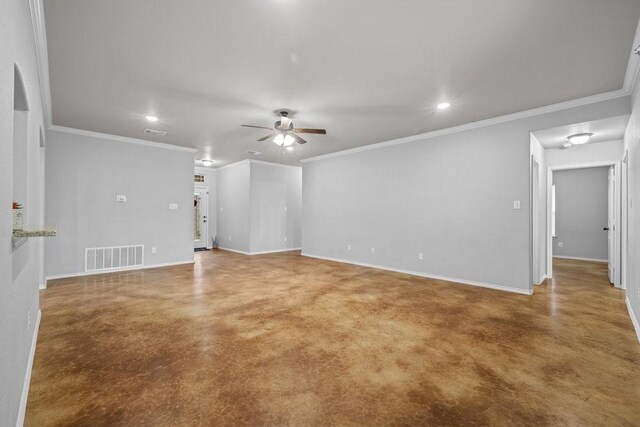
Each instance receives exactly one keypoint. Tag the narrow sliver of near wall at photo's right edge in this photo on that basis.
(632, 267)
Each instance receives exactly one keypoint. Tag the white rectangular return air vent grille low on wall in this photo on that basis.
(113, 258)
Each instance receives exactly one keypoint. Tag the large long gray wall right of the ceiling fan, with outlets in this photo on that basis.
(449, 197)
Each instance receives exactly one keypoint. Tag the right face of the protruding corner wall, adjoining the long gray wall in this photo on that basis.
(276, 204)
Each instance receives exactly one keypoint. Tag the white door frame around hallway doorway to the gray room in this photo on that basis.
(620, 200)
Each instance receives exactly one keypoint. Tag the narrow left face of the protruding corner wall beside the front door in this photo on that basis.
(234, 206)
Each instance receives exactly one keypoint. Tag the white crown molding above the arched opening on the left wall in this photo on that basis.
(42, 57)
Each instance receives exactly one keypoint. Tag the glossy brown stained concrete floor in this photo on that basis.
(288, 340)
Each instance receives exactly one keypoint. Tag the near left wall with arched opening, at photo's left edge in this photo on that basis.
(19, 268)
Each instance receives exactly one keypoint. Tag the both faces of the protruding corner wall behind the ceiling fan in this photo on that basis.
(252, 197)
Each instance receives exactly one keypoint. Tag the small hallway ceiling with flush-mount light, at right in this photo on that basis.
(609, 129)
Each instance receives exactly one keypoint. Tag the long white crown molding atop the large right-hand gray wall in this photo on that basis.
(607, 96)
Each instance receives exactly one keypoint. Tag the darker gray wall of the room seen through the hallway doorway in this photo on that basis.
(581, 213)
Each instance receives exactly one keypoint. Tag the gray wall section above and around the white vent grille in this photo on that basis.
(84, 175)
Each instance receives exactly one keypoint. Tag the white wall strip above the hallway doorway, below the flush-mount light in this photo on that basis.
(610, 151)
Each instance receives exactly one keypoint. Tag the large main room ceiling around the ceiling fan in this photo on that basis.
(367, 71)
